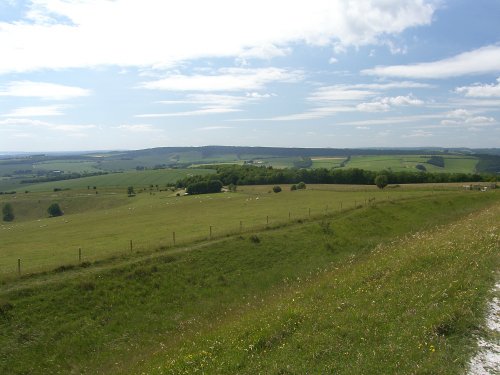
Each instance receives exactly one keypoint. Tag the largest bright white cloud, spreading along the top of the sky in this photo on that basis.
(155, 33)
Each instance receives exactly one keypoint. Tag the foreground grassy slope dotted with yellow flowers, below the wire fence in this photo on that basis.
(309, 296)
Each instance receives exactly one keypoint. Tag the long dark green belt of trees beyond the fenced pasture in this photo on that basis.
(258, 175)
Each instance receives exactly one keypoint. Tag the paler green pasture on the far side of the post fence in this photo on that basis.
(149, 220)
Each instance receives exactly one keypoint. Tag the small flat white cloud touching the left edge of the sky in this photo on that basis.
(42, 90)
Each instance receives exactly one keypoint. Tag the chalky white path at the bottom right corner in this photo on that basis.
(487, 359)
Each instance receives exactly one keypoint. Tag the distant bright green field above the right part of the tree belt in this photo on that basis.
(452, 163)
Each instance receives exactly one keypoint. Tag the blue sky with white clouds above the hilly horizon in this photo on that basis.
(81, 75)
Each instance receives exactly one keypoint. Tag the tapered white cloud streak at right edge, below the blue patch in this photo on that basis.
(479, 61)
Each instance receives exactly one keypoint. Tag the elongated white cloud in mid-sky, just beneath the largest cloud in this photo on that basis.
(228, 79)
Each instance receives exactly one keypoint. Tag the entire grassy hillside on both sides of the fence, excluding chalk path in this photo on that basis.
(387, 287)
